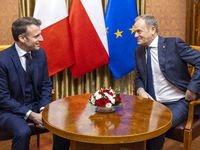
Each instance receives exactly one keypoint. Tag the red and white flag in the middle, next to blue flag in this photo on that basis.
(89, 38)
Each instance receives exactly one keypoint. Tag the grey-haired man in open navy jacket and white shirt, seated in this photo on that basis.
(171, 81)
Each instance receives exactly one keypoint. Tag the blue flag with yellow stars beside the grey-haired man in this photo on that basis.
(120, 19)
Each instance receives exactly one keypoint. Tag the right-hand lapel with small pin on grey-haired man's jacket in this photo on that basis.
(162, 53)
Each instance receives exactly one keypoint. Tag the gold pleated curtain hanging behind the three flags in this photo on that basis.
(64, 83)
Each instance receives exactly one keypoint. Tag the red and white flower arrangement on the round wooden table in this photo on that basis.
(105, 97)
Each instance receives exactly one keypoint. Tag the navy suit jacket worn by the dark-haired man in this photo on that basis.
(12, 83)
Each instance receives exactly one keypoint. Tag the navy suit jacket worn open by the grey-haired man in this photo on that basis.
(173, 56)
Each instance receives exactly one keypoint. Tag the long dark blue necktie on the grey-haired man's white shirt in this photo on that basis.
(150, 86)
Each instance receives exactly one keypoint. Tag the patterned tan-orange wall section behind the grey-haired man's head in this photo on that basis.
(171, 16)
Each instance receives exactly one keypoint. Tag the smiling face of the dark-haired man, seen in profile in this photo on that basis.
(33, 38)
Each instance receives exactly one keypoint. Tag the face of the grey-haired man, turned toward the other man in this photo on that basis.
(143, 34)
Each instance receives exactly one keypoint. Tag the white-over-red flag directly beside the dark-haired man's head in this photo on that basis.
(56, 33)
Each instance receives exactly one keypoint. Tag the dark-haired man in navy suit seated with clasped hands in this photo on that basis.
(23, 95)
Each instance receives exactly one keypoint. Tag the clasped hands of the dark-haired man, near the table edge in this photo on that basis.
(37, 119)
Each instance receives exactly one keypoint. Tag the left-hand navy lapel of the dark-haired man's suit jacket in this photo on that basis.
(19, 68)
